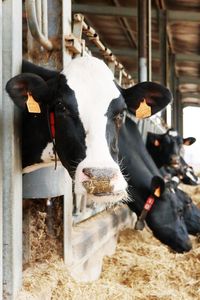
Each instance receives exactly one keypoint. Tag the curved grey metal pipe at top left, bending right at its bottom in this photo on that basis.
(33, 25)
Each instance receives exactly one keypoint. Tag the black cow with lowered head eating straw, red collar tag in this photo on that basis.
(150, 198)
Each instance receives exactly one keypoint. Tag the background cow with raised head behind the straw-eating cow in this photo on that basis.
(165, 150)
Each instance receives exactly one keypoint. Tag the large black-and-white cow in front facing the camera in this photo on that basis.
(82, 111)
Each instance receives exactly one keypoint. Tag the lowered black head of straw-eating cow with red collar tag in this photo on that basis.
(165, 216)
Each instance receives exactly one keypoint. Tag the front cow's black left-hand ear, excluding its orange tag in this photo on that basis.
(20, 86)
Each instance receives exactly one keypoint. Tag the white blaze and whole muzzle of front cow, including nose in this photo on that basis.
(94, 88)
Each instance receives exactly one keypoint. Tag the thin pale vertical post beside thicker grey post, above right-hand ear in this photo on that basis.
(149, 45)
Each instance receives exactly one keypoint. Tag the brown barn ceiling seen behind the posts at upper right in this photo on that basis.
(115, 21)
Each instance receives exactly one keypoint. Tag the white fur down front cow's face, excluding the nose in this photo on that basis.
(93, 84)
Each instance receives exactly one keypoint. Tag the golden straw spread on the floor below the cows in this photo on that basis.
(142, 268)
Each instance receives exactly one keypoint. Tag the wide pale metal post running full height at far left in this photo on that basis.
(12, 178)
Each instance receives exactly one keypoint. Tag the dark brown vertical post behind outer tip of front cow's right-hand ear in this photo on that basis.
(163, 51)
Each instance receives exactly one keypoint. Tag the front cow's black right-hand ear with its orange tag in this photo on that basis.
(146, 97)
